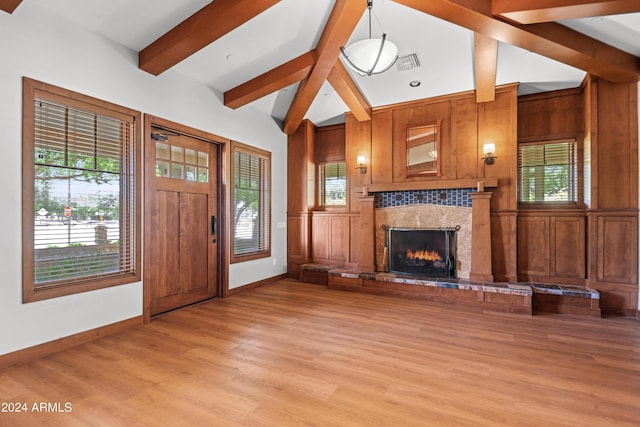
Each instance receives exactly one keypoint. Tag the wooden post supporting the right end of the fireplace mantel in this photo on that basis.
(481, 269)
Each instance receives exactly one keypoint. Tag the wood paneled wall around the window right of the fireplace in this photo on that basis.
(596, 243)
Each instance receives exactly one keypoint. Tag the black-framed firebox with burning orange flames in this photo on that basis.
(421, 251)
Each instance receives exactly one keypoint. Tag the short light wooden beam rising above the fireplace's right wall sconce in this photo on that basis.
(485, 62)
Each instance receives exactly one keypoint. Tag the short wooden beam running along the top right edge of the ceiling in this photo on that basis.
(537, 11)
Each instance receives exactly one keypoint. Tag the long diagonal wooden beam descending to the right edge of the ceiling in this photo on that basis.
(552, 40)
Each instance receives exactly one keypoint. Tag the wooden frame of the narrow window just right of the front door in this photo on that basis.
(263, 155)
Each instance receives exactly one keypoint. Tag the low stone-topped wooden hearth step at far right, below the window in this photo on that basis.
(565, 299)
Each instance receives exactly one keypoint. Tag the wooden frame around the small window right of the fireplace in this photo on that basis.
(578, 180)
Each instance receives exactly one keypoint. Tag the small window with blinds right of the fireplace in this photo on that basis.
(548, 172)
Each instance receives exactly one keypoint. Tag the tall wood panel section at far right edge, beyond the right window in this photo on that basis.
(613, 217)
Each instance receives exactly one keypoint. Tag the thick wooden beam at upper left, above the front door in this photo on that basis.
(199, 30)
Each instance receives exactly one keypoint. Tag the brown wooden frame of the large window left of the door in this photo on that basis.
(32, 90)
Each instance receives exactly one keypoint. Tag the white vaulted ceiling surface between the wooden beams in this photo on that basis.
(293, 27)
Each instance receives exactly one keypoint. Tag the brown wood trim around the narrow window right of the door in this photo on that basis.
(238, 146)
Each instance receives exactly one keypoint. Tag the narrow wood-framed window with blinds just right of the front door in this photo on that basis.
(251, 203)
